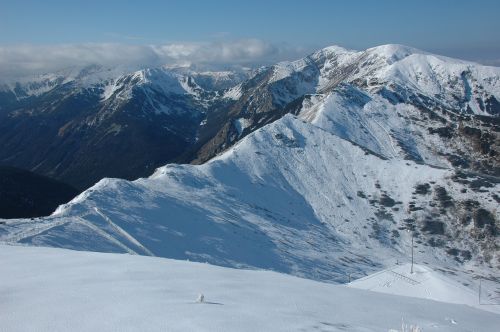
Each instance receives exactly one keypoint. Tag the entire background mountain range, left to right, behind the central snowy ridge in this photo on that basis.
(411, 103)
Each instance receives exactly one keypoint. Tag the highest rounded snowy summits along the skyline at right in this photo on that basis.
(401, 74)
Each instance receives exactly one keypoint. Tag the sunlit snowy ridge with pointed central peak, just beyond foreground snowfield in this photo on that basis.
(290, 197)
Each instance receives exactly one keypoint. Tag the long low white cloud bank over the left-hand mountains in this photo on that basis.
(26, 60)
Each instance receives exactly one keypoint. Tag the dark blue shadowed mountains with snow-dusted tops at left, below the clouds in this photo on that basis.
(81, 127)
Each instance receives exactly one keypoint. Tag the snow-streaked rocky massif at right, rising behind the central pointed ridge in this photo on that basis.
(393, 99)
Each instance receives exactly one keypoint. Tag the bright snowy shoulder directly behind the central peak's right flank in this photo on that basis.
(370, 120)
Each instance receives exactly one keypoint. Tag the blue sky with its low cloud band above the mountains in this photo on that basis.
(464, 29)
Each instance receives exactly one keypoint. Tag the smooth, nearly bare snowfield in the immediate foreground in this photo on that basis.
(58, 290)
